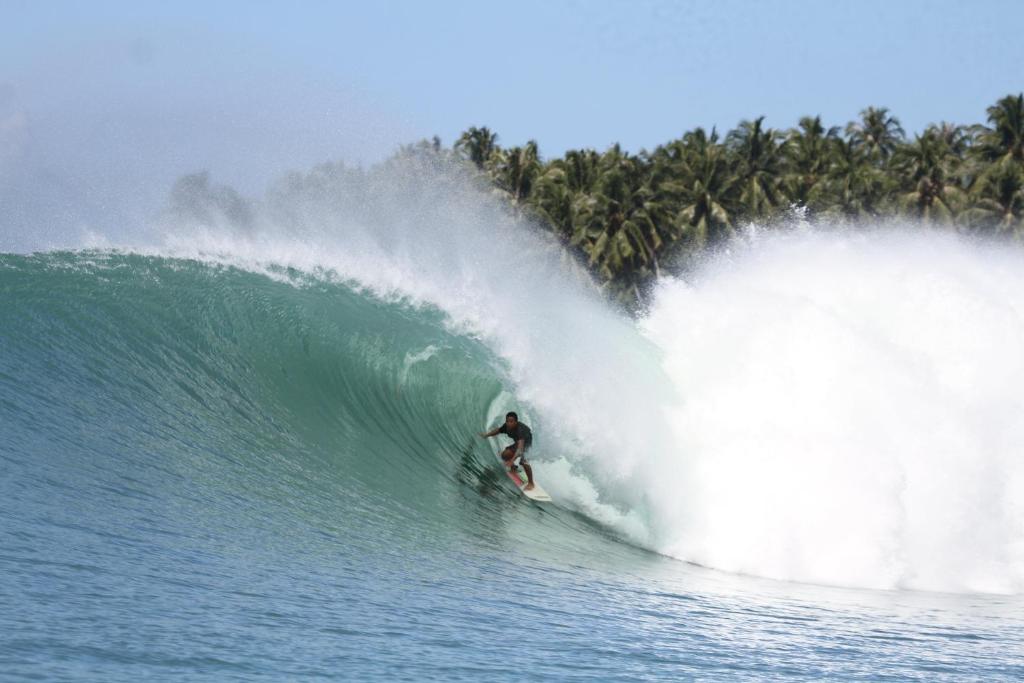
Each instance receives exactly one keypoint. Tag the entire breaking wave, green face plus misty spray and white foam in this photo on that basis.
(817, 407)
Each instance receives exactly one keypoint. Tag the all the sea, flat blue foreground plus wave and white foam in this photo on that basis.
(257, 458)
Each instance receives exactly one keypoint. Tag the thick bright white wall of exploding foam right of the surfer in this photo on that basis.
(851, 412)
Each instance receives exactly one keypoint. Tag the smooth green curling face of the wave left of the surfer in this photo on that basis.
(176, 364)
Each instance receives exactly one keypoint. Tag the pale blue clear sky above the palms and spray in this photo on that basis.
(251, 90)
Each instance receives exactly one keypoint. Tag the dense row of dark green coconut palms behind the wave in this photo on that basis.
(625, 215)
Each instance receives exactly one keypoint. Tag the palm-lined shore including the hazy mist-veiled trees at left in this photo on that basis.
(628, 219)
